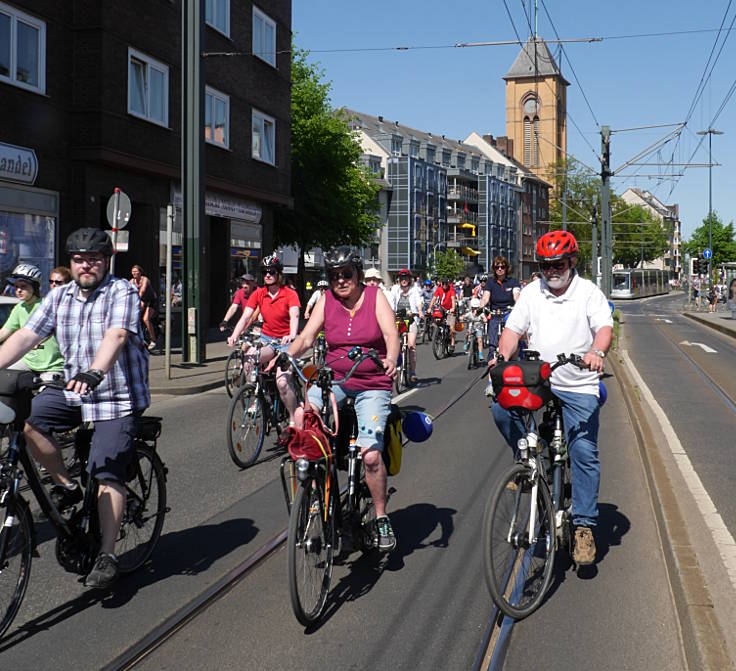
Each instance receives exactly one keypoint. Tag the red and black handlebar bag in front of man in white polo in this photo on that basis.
(522, 384)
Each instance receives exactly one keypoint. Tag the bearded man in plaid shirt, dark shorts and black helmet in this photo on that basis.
(96, 321)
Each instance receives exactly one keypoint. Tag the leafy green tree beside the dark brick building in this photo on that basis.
(335, 199)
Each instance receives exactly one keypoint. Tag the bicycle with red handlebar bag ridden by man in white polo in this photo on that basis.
(528, 516)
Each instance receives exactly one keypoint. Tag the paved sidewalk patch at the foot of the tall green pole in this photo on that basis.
(187, 378)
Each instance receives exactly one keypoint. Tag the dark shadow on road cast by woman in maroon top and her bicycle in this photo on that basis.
(412, 526)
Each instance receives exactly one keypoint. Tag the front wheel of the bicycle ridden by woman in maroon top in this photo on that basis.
(311, 543)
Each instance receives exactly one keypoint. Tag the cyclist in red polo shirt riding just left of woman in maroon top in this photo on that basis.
(279, 306)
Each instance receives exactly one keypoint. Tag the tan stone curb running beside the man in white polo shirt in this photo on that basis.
(702, 638)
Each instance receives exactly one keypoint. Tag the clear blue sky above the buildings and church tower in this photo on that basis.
(623, 82)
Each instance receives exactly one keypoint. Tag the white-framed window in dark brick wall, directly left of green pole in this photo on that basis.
(148, 88)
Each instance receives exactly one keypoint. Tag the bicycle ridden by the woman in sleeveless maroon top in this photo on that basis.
(321, 518)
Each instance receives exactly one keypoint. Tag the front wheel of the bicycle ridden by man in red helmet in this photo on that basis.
(518, 572)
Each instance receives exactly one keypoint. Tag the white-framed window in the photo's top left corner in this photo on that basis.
(22, 49)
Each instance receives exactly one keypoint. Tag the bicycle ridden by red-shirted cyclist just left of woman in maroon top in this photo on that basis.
(256, 408)
